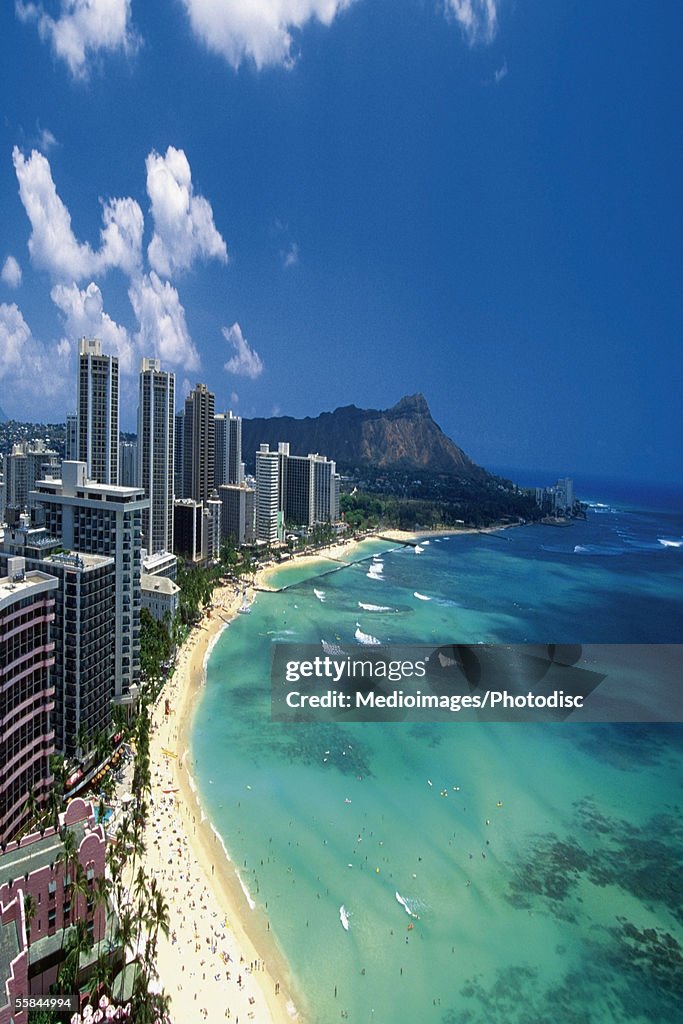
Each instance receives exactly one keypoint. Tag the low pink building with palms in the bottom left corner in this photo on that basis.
(32, 952)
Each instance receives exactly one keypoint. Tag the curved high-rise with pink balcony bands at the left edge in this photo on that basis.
(27, 696)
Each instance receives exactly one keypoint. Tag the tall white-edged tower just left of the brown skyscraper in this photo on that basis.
(156, 423)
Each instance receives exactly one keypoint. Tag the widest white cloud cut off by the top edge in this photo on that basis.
(258, 29)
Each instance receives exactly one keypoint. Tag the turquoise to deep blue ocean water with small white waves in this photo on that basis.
(543, 864)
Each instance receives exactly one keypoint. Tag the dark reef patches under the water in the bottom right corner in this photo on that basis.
(627, 972)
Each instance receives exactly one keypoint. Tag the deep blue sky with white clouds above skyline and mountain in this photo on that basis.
(313, 203)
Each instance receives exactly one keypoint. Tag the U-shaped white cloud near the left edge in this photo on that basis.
(54, 246)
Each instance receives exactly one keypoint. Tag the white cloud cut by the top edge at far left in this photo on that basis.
(83, 29)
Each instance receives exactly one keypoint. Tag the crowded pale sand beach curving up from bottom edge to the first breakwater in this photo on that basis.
(230, 968)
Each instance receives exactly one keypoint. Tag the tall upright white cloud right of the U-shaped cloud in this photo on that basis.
(184, 223)
